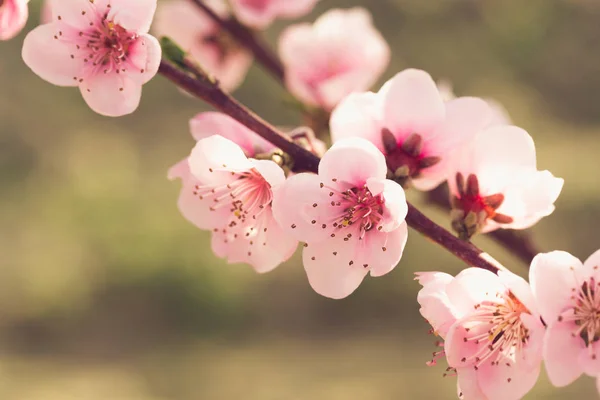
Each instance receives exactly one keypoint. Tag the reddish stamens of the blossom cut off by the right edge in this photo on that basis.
(585, 312)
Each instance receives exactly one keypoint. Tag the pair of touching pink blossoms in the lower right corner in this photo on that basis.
(498, 329)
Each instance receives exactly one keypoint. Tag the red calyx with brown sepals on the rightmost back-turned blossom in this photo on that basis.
(471, 210)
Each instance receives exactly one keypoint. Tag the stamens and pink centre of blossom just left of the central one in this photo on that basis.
(247, 196)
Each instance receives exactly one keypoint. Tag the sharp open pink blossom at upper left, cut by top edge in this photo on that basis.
(100, 46)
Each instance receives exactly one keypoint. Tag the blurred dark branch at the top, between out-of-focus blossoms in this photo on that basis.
(248, 39)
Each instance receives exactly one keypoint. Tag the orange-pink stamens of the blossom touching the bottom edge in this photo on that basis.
(496, 328)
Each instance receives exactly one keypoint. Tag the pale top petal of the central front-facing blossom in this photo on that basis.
(354, 161)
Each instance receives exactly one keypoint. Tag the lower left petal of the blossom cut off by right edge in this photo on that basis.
(561, 353)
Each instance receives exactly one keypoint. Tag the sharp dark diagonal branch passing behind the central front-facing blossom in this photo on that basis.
(209, 91)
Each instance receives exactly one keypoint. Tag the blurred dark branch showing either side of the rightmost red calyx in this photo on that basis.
(519, 243)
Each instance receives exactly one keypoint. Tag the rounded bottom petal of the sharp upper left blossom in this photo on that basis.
(112, 95)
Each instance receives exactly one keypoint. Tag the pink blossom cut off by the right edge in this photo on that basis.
(567, 294)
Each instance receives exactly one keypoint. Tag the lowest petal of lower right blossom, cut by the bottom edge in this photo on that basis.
(504, 382)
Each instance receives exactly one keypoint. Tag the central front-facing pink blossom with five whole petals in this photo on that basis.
(350, 217)
